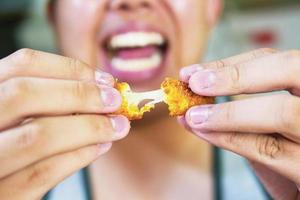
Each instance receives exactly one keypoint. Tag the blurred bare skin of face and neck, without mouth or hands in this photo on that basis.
(173, 153)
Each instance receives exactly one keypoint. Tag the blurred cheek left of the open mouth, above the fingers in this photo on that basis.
(78, 21)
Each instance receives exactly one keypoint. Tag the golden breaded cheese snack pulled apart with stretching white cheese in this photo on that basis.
(176, 94)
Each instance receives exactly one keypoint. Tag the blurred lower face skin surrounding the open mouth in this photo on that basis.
(177, 20)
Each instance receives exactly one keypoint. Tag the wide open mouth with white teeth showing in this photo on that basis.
(135, 56)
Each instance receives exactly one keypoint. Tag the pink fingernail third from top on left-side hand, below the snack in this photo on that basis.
(120, 124)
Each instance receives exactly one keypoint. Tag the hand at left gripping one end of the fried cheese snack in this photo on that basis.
(41, 140)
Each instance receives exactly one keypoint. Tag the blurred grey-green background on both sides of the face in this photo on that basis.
(272, 23)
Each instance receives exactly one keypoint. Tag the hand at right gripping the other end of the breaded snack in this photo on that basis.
(265, 129)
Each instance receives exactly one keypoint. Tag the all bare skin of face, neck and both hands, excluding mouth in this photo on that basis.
(35, 155)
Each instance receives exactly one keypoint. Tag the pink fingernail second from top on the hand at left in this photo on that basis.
(111, 99)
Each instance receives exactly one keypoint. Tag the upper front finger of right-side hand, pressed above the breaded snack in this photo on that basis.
(279, 71)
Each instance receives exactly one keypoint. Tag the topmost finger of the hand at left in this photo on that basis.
(32, 63)
